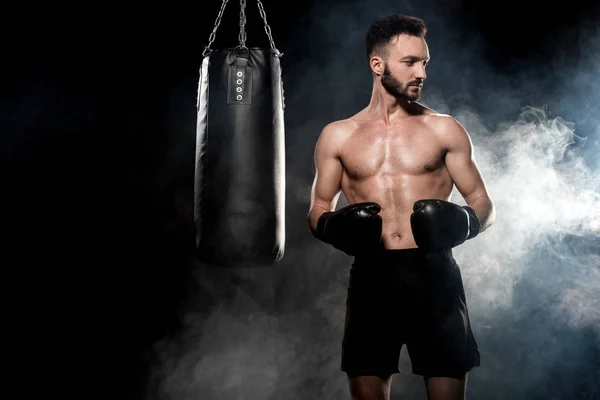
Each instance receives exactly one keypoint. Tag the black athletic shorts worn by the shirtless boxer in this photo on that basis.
(398, 297)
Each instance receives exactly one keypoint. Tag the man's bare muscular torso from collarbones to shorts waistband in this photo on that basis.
(394, 165)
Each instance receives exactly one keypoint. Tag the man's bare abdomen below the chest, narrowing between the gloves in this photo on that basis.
(396, 196)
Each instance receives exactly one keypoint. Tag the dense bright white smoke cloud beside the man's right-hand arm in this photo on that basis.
(543, 191)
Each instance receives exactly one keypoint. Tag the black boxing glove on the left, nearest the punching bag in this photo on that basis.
(353, 229)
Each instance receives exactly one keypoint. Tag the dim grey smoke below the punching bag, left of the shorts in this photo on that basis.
(258, 344)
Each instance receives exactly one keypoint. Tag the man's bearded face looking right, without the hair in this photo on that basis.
(404, 70)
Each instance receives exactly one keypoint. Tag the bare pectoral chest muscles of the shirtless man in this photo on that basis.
(407, 150)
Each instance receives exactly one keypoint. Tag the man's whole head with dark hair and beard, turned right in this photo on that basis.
(398, 54)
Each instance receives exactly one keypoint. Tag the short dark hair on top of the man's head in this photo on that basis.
(384, 29)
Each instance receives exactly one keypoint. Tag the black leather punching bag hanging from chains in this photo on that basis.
(239, 192)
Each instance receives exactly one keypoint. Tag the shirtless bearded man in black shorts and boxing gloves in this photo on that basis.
(396, 162)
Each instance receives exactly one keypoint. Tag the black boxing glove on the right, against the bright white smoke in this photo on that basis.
(438, 224)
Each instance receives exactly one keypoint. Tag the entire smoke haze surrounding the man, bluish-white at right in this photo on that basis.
(531, 280)
